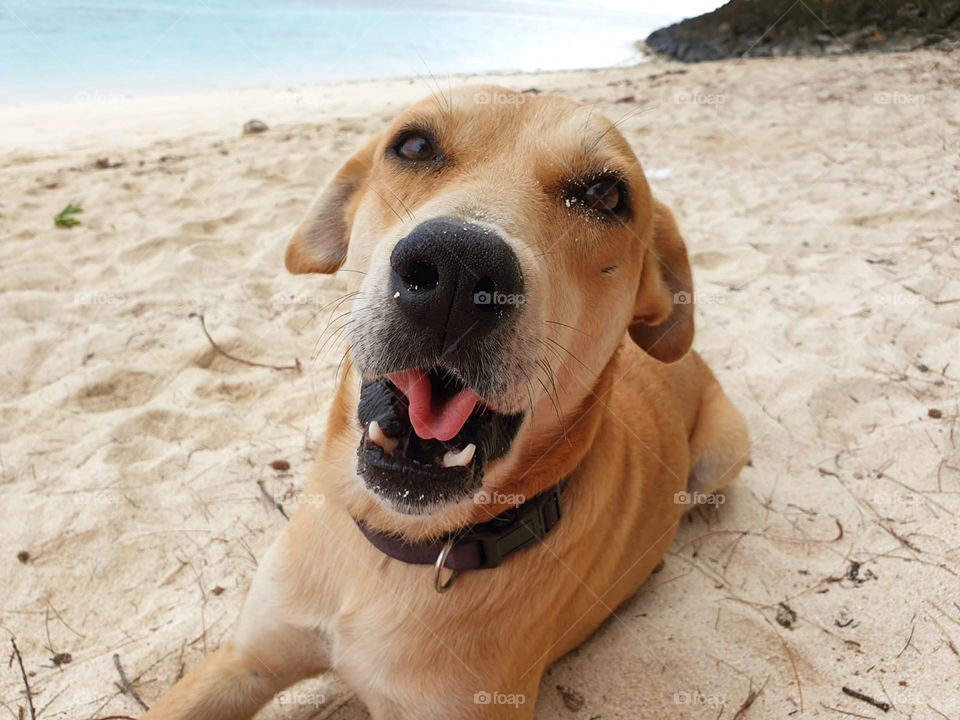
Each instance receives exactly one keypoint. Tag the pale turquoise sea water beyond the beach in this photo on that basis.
(57, 50)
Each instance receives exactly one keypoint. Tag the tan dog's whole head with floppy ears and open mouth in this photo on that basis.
(501, 245)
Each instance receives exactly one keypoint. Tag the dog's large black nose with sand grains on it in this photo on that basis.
(453, 279)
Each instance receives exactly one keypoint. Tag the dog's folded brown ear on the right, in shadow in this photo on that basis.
(663, 313)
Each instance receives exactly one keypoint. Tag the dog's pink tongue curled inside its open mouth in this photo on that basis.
(430, 416)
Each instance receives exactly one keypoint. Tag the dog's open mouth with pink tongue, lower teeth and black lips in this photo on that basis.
(427, 438)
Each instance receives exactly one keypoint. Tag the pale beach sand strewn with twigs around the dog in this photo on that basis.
(819, 200)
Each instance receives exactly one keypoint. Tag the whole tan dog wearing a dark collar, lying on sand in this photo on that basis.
(517, 425)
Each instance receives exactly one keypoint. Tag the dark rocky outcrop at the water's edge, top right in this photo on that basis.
(769, 28)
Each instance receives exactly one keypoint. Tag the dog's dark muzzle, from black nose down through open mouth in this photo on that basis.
(429, 428)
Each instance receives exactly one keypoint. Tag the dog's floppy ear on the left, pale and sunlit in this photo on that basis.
(320, 243)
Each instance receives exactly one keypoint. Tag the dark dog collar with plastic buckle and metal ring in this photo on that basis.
(484, 545)
